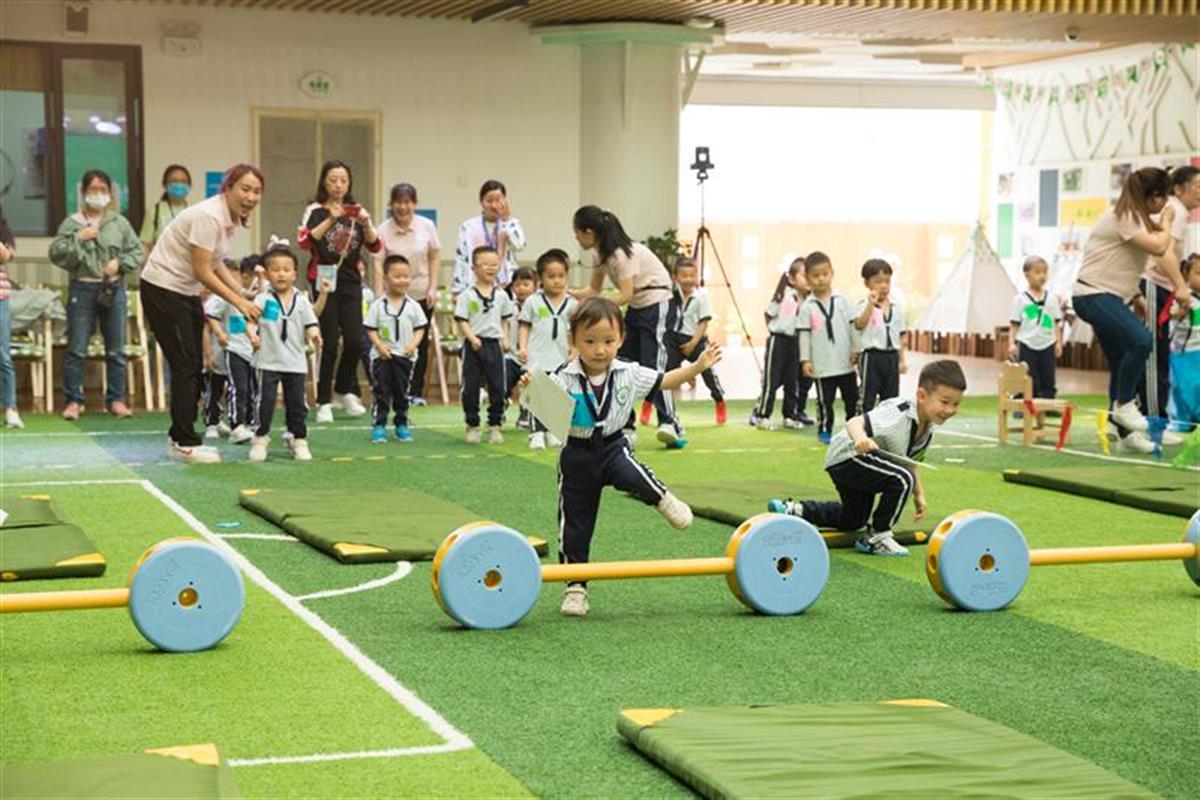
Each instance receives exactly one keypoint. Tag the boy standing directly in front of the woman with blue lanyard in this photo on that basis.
(483, 314)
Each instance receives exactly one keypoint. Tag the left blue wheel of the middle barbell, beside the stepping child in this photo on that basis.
(487, 576)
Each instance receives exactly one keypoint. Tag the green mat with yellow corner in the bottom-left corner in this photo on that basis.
(196, 773)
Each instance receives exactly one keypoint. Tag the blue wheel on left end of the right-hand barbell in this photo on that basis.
(979, 561)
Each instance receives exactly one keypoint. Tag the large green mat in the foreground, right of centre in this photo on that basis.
(908, 750)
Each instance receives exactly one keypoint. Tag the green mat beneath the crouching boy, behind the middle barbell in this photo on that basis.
(735, 502)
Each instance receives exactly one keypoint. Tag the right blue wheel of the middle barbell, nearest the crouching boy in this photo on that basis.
(781, 564)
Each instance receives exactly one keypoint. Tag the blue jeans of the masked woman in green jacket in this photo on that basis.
(83, 312)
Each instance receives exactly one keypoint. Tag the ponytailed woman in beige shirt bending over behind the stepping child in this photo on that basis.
(644, 286)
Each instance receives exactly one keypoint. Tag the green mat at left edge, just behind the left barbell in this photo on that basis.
(35, 544)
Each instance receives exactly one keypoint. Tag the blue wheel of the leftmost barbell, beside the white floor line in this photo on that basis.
(185, 597)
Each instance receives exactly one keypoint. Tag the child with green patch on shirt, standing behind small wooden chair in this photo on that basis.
(1035, 335)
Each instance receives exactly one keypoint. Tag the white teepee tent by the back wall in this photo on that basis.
(976, 298)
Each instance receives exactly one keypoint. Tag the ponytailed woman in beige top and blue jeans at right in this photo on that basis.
(1114, 260)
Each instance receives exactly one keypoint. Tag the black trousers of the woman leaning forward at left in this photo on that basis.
(178, 324)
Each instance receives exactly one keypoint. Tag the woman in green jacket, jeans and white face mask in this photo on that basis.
(98, 248)
